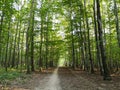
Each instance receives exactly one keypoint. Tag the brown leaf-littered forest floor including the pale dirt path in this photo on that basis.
(63, 79)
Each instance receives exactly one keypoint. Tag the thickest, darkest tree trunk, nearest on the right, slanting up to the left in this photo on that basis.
(102, 48)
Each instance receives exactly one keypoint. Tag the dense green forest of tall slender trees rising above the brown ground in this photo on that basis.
(80, 35)
